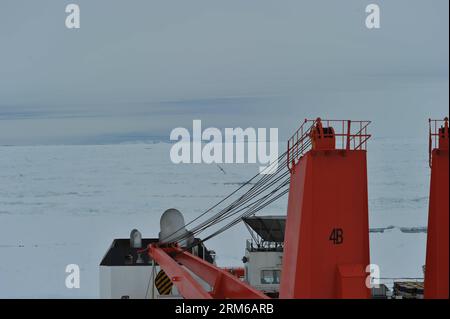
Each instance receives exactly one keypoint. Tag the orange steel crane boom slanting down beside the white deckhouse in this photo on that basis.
(175, 263)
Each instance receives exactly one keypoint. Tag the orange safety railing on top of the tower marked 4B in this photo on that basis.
(349, 135)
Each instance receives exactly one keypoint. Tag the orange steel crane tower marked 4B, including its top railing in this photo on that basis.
(326, 249)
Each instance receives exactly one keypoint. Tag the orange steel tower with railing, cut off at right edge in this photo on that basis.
(436, 267)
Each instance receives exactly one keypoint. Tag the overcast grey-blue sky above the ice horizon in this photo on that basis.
(138, 68)
